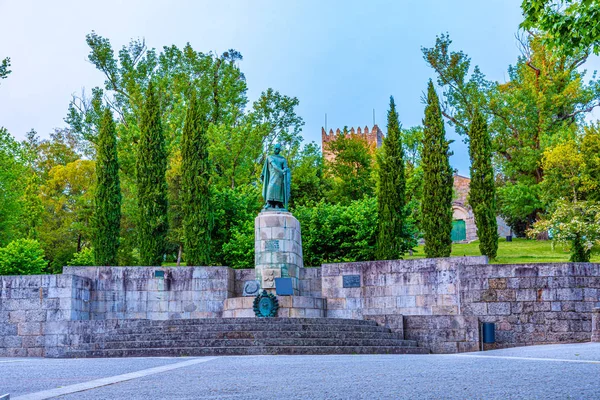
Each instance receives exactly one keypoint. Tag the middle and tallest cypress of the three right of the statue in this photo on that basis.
(436, 206)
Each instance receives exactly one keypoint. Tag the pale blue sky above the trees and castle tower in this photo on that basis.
(343, 58)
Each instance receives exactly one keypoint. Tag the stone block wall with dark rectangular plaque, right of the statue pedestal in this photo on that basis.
(405, 287)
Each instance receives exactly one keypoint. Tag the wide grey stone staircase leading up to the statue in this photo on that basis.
(240, 336)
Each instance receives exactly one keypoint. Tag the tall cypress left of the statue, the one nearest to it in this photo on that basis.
(195, 190)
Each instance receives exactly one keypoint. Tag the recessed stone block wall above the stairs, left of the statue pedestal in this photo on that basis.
(138, 293)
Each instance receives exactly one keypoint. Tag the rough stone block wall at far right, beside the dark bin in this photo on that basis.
(532, 303)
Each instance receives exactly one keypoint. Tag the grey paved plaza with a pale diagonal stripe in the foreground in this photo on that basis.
(567, 371)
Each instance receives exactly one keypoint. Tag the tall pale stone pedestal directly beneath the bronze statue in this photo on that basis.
(277, 249)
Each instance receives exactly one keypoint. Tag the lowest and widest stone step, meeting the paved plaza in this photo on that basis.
(243, 351)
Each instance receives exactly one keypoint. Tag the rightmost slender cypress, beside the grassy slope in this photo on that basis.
(482, 191)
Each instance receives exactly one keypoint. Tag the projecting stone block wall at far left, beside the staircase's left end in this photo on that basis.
(28, 303)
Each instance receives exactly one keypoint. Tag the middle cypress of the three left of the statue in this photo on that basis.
(151, 166)
